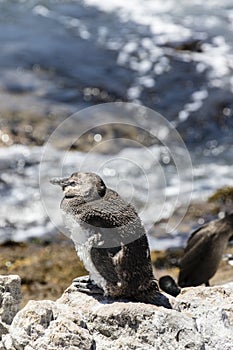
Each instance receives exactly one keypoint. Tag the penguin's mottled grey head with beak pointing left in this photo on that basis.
(85, 186)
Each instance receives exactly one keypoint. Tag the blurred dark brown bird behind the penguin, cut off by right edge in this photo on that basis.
(204, 251)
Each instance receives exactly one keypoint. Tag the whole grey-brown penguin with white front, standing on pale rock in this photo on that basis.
(109, 238)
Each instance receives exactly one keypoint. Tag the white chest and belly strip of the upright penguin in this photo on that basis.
(84, 239)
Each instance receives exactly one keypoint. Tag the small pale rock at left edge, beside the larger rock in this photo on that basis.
(10, 299)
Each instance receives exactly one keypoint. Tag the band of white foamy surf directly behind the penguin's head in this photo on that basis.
(32, 210)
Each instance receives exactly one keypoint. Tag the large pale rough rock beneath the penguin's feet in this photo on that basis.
(201, 318)
